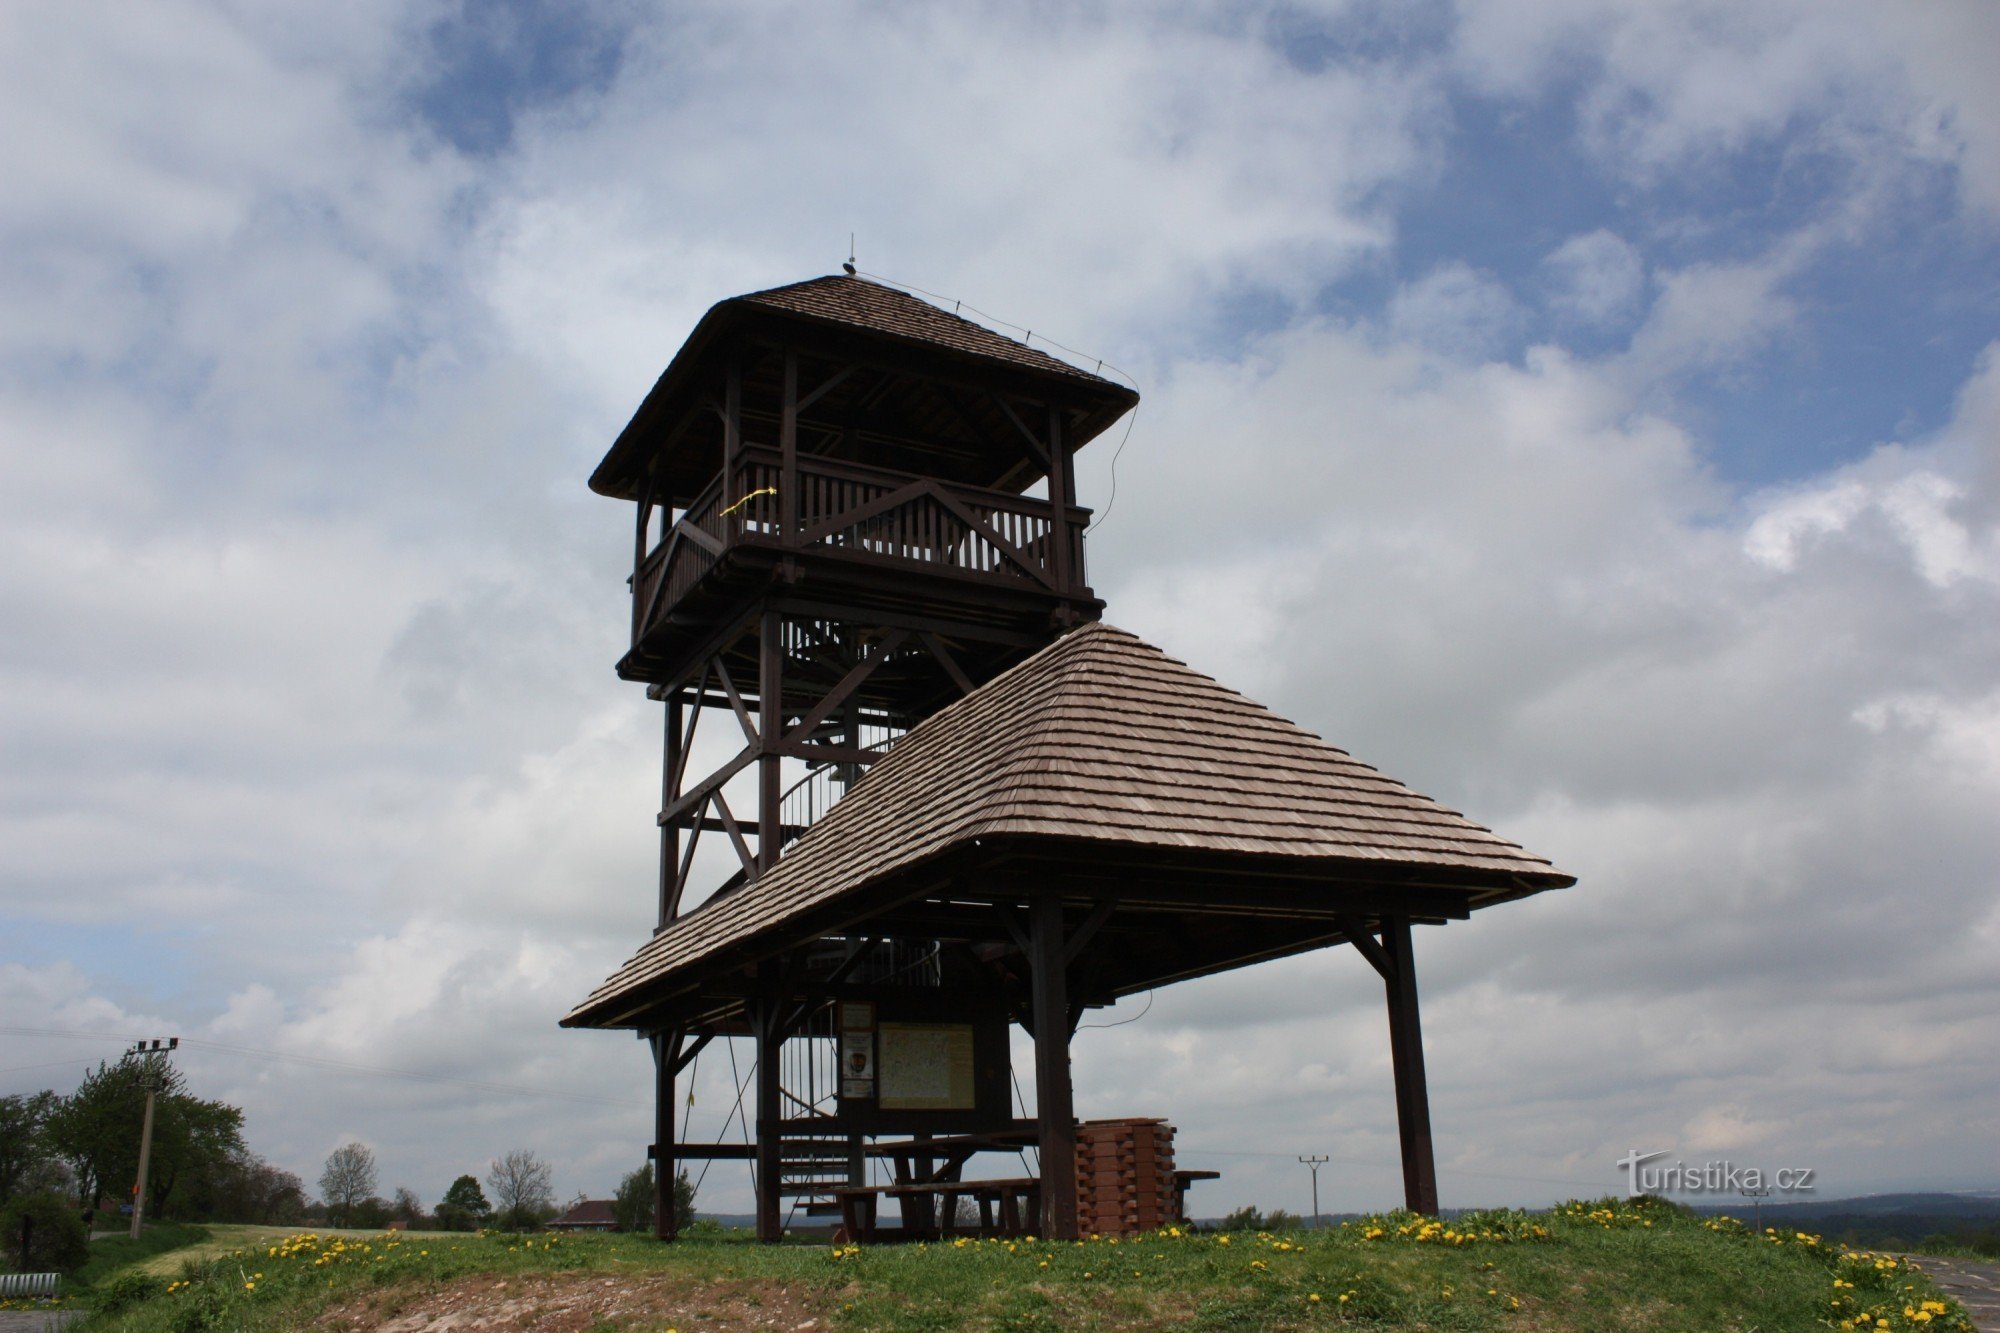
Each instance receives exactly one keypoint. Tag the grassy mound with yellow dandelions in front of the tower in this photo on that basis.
(1581, 1268)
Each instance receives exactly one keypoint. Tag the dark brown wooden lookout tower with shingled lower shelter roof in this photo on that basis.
(955, 800)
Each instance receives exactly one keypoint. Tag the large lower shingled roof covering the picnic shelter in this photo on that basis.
(1097, 742)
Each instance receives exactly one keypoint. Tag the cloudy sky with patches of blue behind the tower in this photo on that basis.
(1589, 413)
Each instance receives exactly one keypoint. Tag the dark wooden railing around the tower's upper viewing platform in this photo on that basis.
(869, 513)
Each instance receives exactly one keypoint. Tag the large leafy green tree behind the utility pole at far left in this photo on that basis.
(97, 1130)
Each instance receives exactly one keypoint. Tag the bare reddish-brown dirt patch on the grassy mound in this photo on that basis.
(585, 1304)
